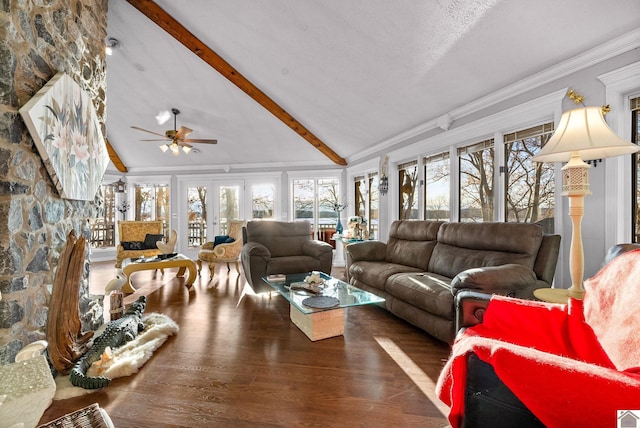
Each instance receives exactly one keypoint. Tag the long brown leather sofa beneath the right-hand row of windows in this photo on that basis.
(424, 264)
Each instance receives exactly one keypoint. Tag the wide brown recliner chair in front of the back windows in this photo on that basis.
(276, 247)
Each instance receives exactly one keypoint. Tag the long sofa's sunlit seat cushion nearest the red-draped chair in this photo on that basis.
(427, 291)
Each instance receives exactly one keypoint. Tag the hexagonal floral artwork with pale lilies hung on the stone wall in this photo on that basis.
(63, 123)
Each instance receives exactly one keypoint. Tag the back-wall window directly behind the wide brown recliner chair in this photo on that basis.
(314, 200)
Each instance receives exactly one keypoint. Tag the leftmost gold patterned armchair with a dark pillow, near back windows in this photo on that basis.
(133, 235)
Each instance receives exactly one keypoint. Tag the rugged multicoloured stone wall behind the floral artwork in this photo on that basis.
(38, 38)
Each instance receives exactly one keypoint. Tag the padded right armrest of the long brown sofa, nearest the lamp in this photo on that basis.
(506, 279)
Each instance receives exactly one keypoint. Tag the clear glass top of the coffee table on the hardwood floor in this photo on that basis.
(347, 294)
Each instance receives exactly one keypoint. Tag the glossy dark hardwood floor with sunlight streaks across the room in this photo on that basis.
(238, 361)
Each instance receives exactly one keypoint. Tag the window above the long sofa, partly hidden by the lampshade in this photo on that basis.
(530, 186)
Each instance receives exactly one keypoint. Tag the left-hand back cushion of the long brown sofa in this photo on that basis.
(410, 243)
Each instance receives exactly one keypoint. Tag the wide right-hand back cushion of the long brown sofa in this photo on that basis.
(463, 246)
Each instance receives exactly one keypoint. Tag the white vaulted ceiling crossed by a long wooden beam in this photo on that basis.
(353, 74)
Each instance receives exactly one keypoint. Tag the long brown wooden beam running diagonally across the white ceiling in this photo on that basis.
(169, 24)
